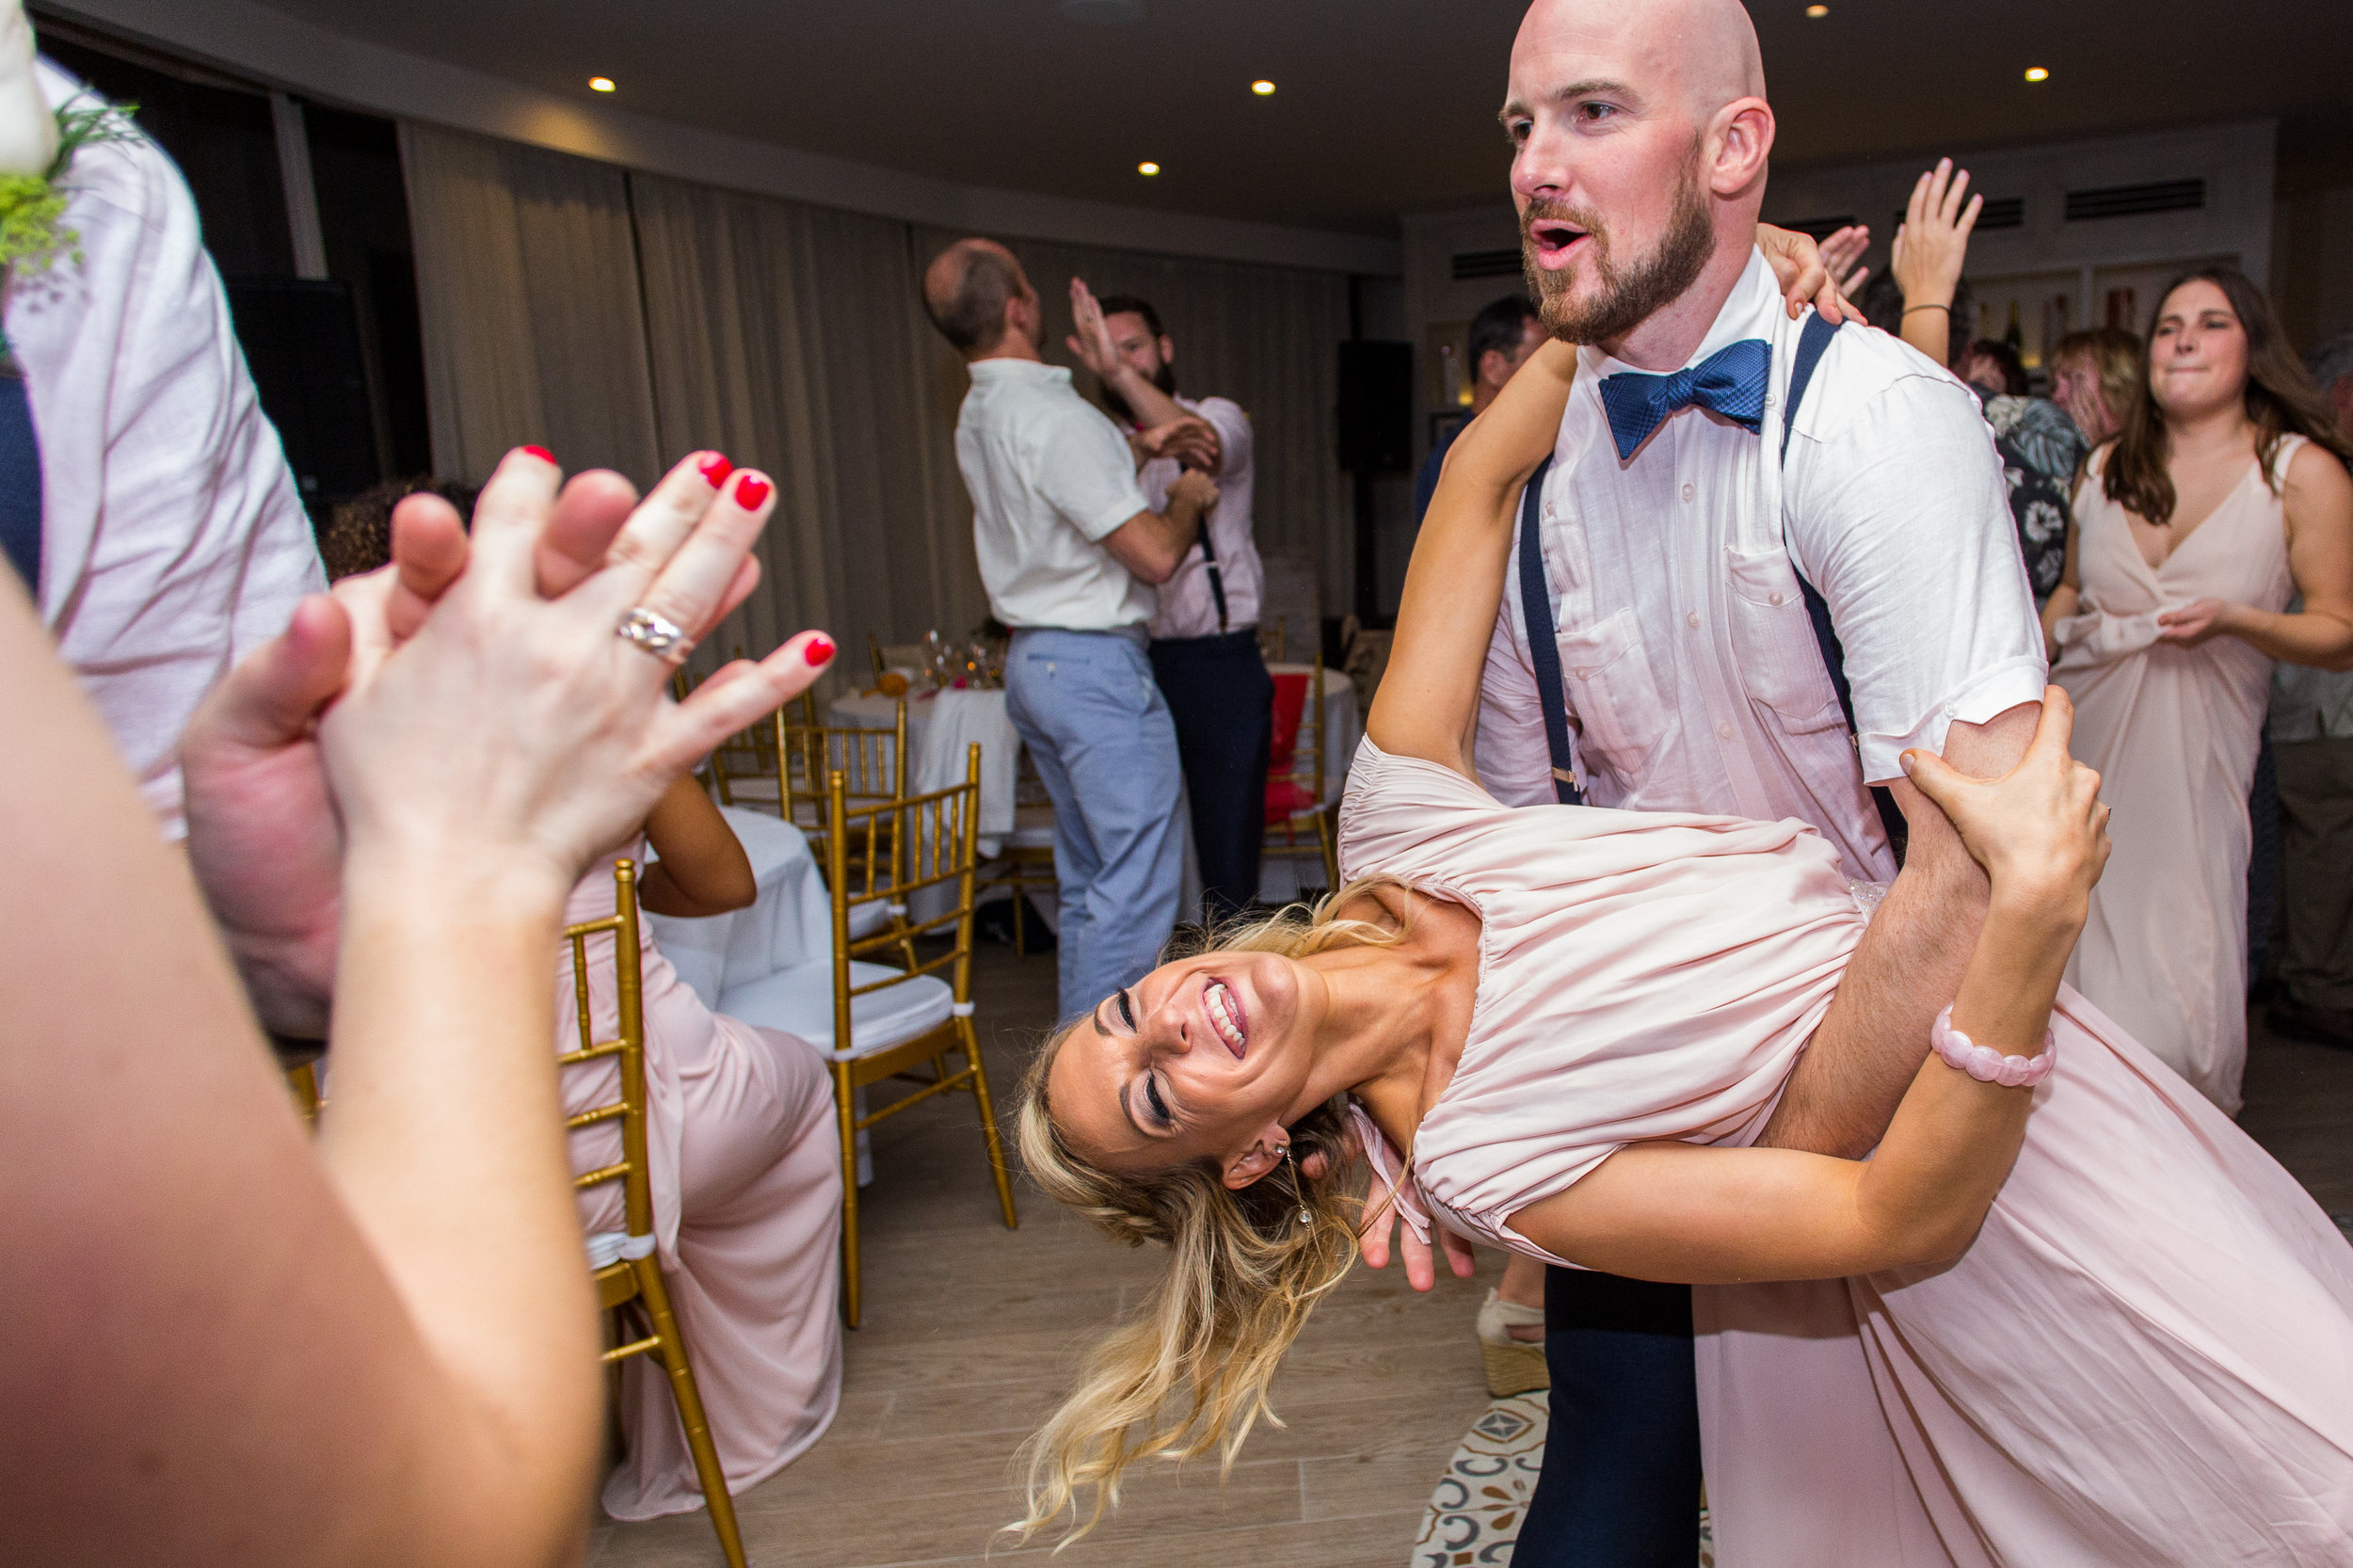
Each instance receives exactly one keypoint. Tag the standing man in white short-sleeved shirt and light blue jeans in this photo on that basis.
(1069, 554)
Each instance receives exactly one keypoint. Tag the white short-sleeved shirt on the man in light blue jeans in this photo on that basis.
(1051, 477)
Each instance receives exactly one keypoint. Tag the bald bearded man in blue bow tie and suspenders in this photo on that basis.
(1733, 620)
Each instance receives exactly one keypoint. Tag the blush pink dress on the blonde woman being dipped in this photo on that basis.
(2147, 1355)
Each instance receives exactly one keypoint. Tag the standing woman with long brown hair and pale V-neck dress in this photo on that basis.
(2215, 507)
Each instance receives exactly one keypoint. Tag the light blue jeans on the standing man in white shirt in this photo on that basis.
(1093, 719)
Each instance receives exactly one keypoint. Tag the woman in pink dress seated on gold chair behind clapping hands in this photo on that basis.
(747, 1174)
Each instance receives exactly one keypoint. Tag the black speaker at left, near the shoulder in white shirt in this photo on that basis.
(302, 343)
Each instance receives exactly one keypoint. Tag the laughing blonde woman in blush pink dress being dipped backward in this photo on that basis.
(2058, 1317)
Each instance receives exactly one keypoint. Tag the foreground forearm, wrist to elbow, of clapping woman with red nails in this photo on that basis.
(446, 1138)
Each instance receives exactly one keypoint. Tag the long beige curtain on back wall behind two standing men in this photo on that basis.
(629, 319)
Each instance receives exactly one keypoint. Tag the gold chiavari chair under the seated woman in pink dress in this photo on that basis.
(622, 1263)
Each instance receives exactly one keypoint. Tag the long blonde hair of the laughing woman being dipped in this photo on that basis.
(1189, 1369)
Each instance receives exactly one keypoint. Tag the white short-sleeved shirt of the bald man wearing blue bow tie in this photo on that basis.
(1688, 660)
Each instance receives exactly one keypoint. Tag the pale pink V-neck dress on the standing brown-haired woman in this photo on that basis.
(2173, 733)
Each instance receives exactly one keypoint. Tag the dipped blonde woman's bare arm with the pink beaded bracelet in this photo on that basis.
(1717, 1216)
